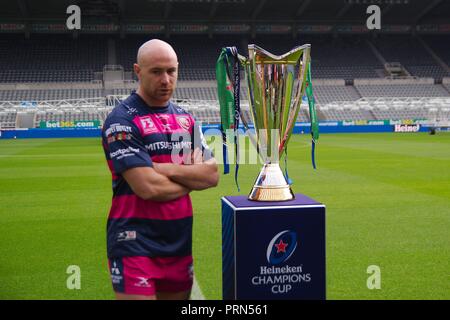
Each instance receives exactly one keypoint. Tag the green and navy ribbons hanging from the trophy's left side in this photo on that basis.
(228, 86)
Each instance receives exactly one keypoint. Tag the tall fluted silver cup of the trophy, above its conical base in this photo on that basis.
(275, 90)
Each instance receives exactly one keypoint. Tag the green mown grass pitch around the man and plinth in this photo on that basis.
(387, 198)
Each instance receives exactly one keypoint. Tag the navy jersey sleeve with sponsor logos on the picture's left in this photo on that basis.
(124, 145)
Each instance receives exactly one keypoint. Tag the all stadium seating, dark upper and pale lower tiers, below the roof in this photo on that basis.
(58, 68)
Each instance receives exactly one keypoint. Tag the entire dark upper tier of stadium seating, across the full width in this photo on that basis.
(48, 58)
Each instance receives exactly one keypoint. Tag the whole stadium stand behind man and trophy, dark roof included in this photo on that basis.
(63, 75)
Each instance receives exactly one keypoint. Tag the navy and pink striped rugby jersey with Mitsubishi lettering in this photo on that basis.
(136, 135)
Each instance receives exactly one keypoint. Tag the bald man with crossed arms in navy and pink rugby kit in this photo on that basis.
(157, 155)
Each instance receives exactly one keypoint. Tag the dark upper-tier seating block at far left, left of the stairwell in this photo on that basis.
(55, 58)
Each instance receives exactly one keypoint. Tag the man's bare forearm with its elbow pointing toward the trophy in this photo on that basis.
(194, 177)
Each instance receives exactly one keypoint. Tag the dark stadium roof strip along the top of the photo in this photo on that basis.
(410, 12)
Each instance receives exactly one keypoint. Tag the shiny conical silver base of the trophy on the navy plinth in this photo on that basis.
(271, 185)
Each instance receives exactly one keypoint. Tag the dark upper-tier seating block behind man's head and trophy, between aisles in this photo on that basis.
(332, 58)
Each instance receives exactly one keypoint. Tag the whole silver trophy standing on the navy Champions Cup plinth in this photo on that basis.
(276, 85)
